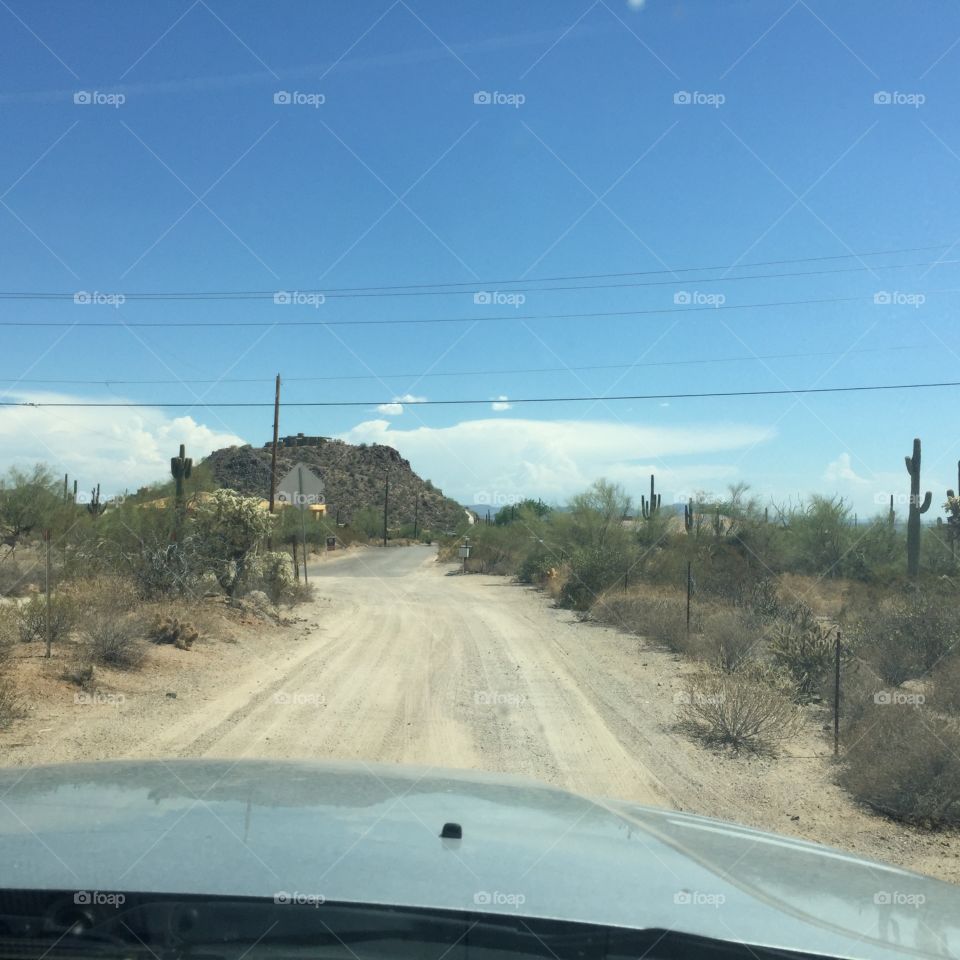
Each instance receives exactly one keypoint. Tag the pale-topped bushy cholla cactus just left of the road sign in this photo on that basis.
(229, 529)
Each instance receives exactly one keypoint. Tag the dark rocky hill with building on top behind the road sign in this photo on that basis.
(353, 478)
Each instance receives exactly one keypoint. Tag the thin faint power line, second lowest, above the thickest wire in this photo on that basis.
(471, 373)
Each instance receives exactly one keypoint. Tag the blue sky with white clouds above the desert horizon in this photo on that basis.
(383, 170)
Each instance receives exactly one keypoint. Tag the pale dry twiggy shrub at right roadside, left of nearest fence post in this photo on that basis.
(737, 710)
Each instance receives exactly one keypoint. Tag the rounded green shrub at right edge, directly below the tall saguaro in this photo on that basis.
(903, 638)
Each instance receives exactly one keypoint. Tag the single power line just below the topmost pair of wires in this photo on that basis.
(232, 324)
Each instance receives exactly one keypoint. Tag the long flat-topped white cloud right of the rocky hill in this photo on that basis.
(555, 459)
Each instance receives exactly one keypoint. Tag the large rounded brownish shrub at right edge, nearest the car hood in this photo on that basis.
(900, 760)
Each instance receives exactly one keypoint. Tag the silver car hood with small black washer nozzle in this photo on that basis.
(367, 833)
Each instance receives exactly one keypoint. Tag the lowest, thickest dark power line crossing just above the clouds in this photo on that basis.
(434, 403)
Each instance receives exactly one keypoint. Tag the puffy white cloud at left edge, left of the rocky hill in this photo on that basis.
(118, 448)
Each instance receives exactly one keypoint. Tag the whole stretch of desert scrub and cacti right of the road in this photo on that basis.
(771, 588)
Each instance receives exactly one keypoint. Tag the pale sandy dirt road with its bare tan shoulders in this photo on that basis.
(400, 659)
